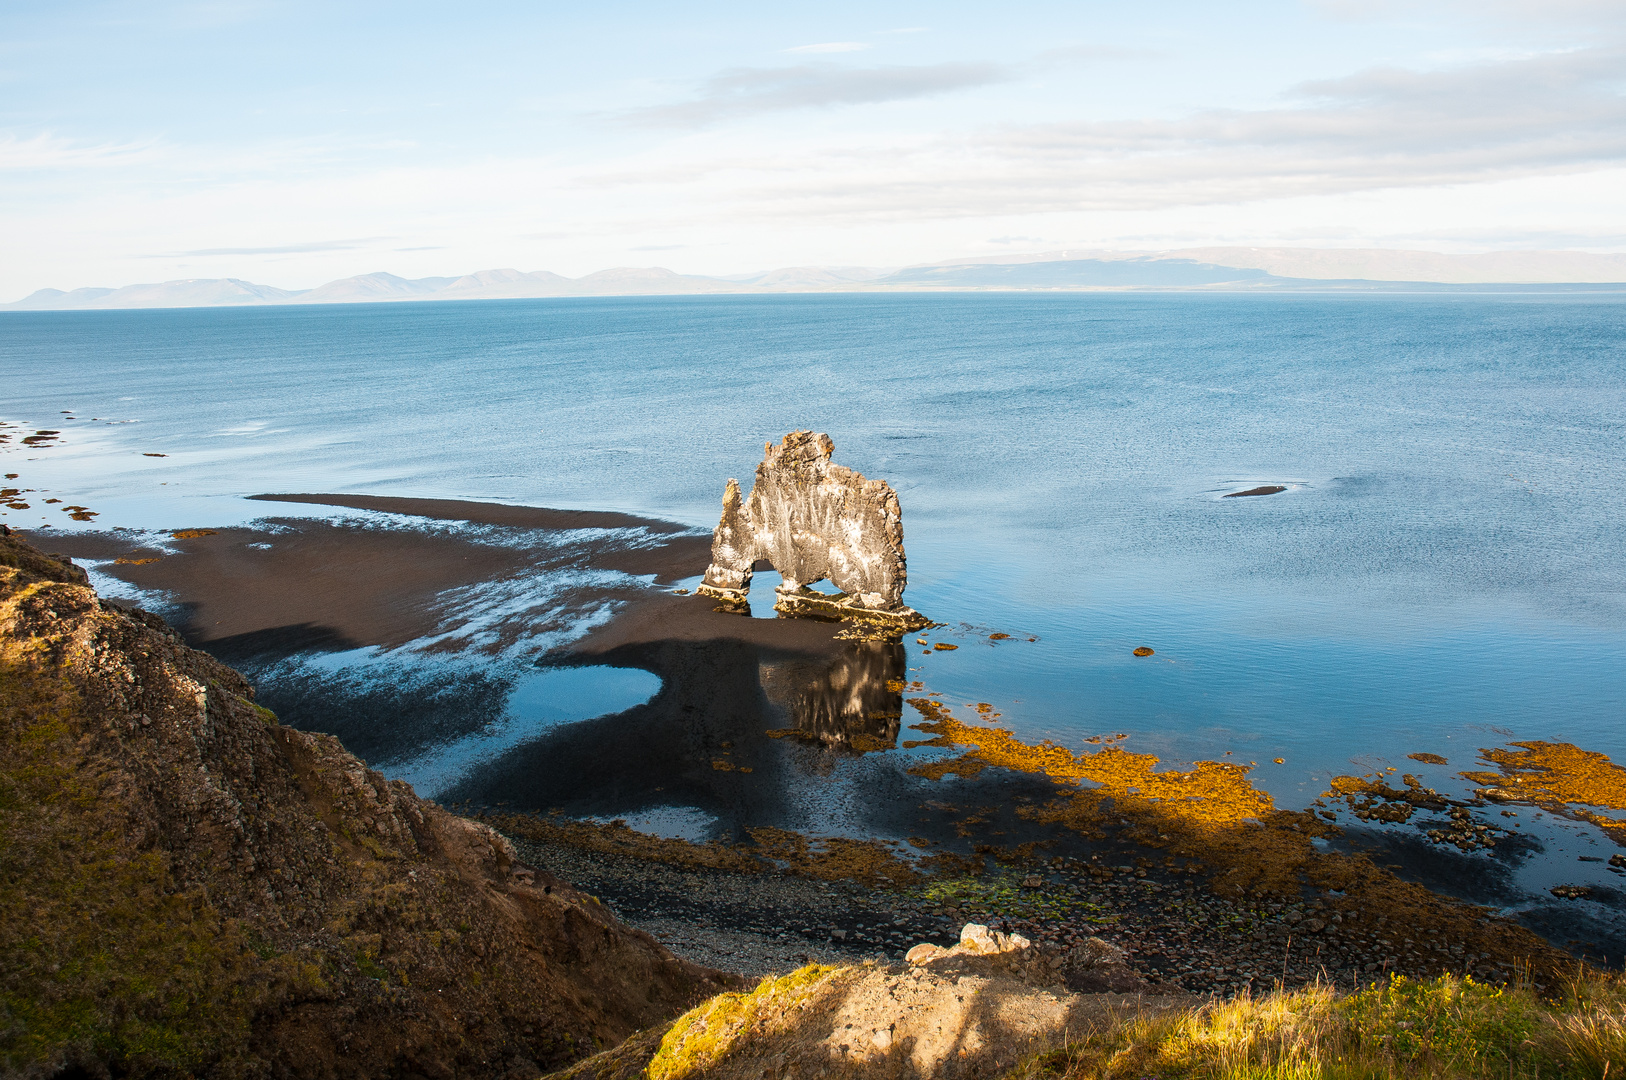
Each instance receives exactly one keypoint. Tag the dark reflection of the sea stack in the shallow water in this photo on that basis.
(856, 703)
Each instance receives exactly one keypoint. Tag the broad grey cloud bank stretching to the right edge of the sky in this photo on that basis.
(1376, 129)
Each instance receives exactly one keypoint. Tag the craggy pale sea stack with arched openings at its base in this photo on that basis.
(814, 521)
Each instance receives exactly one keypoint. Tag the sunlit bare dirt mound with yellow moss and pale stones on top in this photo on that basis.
(973, 1011)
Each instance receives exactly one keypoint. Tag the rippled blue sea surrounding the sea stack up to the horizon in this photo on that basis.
(1445, 572)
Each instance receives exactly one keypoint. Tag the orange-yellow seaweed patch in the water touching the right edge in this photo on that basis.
(1560, 778)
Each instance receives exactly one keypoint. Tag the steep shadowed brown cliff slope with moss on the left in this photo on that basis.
(191, 889)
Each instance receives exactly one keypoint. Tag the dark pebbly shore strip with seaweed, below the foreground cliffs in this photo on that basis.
(1176, 933)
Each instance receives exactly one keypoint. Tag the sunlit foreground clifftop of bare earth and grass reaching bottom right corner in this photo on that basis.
(861, 1022)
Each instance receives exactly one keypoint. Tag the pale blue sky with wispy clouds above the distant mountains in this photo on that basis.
(292, 144)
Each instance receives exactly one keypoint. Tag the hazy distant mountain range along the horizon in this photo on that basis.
(1211, 269)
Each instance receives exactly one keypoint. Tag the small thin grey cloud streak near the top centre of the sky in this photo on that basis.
(747, 92)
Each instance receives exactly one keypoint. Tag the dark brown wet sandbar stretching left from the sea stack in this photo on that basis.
(293, 585)
